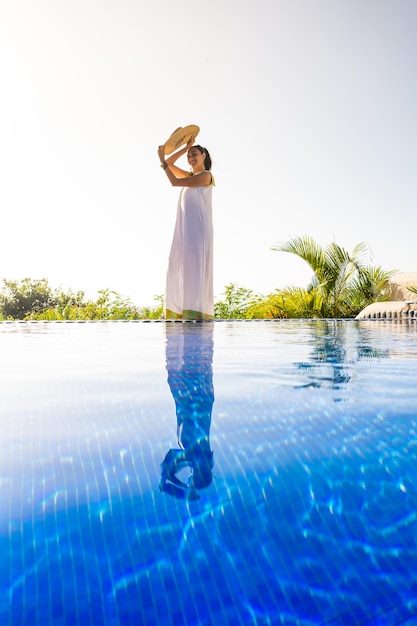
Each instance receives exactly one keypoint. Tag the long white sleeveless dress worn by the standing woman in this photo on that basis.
(189, 286)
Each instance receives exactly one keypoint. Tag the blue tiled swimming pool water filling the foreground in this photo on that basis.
(291, 498)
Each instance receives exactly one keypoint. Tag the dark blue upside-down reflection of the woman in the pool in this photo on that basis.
(189, 358)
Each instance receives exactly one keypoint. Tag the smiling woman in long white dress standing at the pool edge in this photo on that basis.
(189, 287)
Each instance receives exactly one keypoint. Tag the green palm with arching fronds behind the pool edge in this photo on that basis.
(342, 283)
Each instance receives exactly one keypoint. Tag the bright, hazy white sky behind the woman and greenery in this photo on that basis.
(308, 108)
